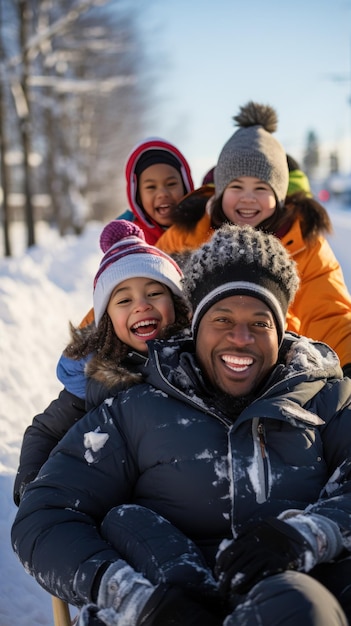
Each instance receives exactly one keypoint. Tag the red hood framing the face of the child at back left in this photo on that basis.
(151, 229)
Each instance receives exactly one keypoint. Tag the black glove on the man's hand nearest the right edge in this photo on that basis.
(270, 547)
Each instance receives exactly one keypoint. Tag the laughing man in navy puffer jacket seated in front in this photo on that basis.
(218, 490)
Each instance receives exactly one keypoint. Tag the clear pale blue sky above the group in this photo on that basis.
(214, 56)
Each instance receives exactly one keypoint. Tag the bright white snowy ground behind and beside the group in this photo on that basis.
(39, 292)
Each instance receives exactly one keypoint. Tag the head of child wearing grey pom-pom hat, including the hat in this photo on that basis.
(252, 173)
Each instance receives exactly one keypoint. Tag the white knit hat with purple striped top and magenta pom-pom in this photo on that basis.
(127, 255)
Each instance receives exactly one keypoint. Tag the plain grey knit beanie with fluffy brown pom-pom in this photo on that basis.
(253, 151)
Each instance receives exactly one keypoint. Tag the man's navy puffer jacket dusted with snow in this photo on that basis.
(161, 444)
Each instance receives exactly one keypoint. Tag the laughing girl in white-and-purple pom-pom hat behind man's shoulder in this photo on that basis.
(137, 297)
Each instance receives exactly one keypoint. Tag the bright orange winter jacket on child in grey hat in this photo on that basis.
(322, 306)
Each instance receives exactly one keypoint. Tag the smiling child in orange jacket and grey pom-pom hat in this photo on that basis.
(251, 187)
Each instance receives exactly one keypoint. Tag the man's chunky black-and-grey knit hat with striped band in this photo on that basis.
(240, 260)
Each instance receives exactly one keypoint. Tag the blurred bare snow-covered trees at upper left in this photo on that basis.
(78, 79)
